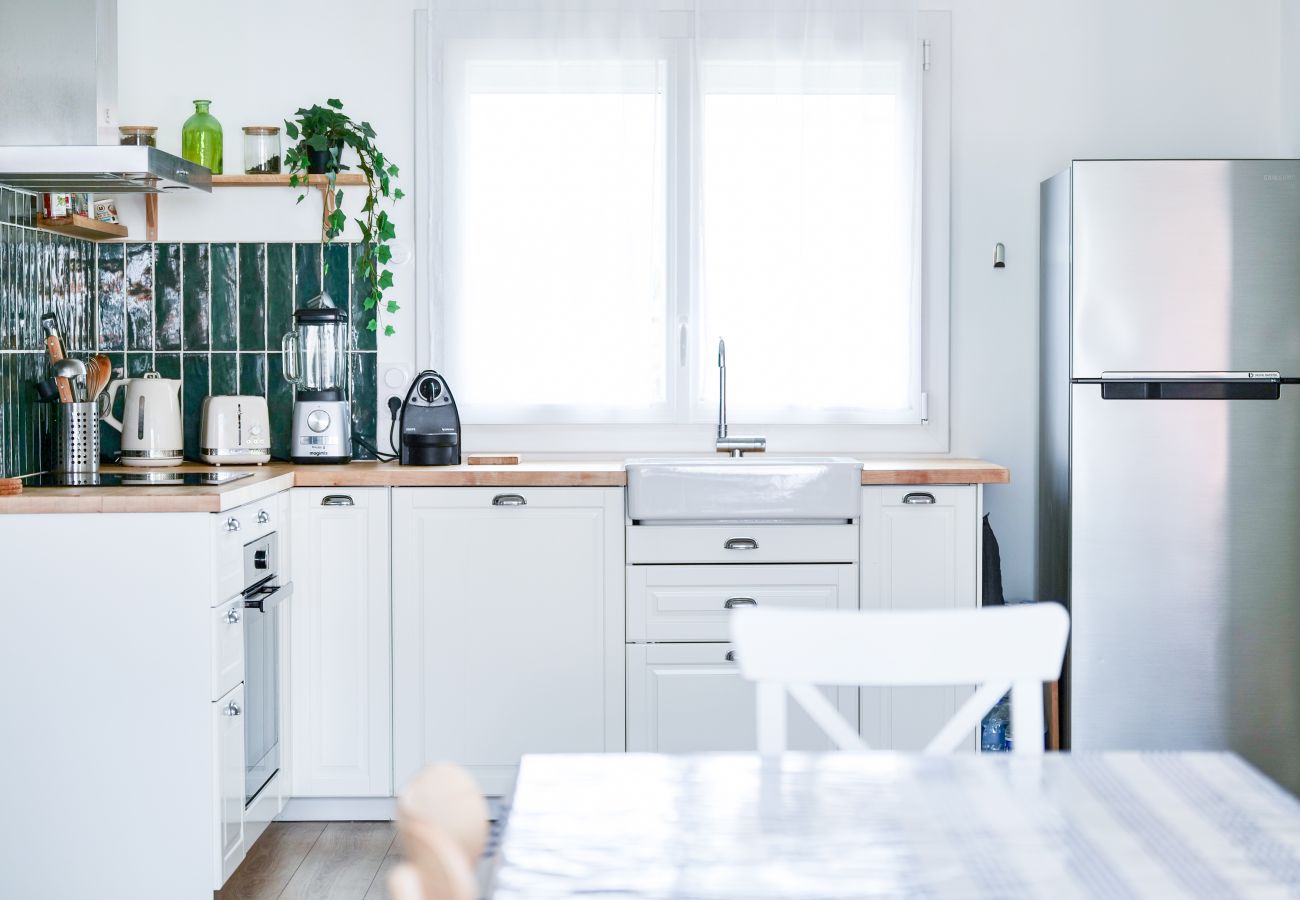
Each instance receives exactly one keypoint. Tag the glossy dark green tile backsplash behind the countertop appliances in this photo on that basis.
(209, 314)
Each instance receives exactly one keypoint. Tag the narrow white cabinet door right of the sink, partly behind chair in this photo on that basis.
(920, 552)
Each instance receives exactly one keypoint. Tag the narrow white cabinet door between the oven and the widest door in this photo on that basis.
(340, 644)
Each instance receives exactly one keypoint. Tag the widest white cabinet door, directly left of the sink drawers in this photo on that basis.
(508, 630)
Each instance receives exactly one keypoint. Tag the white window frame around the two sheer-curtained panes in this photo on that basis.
(930, 435)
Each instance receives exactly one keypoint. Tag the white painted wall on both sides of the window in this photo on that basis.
(1037, 84)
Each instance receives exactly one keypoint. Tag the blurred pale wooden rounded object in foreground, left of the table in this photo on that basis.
(443, 820)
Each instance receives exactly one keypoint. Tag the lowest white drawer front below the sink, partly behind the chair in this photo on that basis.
(692, 699)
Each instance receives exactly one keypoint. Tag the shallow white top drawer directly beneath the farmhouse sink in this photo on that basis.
(743, 544)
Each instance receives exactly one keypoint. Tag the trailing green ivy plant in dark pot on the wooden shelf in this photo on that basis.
(322, 136)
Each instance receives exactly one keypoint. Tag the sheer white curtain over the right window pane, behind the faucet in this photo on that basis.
(809, 209)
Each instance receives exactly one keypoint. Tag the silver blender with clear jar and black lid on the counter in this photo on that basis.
(315, 356)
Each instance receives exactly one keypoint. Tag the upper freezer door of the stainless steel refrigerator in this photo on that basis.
(1186, 266)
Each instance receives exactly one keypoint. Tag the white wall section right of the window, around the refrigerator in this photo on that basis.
(1035, 85)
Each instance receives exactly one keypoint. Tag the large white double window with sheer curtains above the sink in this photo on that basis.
(616, 187)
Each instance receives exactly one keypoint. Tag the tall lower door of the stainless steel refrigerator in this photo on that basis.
(1185, 579)
